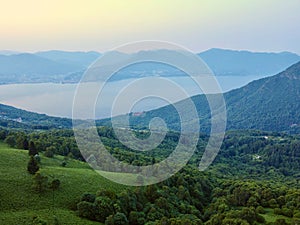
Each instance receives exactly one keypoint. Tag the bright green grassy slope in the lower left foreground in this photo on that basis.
(19, 203)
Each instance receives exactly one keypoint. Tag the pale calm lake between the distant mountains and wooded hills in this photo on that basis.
(57, 99)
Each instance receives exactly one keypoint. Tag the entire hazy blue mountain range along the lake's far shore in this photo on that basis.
(68, 67)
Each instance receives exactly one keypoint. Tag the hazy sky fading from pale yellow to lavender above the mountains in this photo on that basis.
(257, 25)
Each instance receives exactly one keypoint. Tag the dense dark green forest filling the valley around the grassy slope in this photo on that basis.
(254, 178)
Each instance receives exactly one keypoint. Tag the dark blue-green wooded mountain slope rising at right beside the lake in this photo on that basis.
(270, 104)
